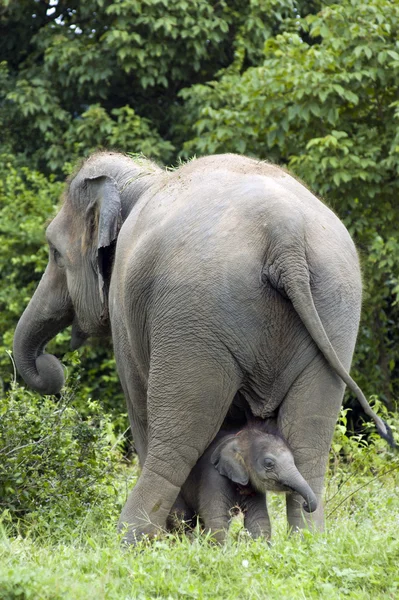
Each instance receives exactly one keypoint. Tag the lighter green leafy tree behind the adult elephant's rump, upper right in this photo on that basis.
(324, 102)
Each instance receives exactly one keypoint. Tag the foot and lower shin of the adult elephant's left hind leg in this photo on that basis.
(146, 511)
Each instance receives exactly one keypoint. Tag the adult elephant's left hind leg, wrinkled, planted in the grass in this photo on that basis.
(188, 397)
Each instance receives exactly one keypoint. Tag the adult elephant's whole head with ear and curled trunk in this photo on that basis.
(74, 286)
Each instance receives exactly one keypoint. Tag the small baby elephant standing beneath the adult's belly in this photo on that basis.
(238, 469)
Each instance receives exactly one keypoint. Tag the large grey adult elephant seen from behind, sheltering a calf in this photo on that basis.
(223, 279)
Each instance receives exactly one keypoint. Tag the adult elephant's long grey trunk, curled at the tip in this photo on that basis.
(48, 313)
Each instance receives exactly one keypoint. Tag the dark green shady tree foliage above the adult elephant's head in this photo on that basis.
(78, 75)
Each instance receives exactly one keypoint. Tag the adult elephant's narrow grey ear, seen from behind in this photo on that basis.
(104, 212)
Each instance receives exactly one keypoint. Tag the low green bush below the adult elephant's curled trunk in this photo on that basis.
(55, 466)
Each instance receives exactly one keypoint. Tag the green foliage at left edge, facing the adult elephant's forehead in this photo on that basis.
(27, 200)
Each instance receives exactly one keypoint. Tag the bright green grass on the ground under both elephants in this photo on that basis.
(357, 556)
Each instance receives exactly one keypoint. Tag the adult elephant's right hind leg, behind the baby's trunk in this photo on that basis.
(307, 419)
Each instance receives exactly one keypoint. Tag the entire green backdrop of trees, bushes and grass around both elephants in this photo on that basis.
(309, 85)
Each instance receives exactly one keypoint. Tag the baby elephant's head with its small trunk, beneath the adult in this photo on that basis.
(265, 461)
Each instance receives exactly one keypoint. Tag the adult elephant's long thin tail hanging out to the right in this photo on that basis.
(298, 291)
